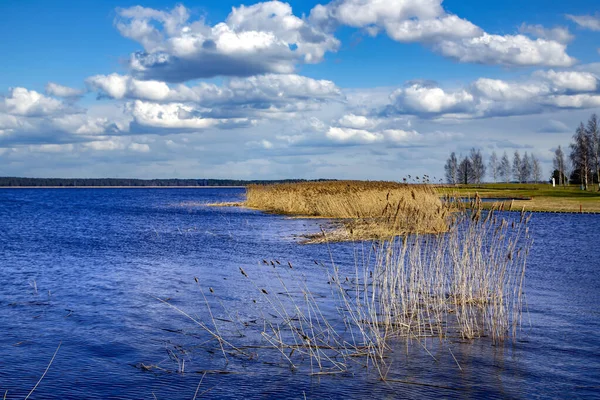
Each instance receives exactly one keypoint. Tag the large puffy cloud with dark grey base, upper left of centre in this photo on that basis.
(262, 38)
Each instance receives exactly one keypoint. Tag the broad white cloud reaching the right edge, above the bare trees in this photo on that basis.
(540, 92)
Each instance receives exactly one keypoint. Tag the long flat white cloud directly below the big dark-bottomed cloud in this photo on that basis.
(267, 96)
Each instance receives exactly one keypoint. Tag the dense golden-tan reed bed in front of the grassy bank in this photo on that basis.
(365, 210)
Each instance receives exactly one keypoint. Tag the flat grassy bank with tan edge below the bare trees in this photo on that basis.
(534, 197)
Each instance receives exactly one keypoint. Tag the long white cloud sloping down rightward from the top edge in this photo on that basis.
(427, 22)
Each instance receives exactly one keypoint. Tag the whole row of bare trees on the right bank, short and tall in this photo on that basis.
(582, 166)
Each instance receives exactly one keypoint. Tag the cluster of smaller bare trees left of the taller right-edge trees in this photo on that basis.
(472, 168)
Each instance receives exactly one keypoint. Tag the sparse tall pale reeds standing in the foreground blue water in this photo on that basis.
(463, 284)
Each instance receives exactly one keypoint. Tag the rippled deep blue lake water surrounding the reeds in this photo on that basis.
(83, 268)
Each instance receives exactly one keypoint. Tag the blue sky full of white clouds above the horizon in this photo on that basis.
(347, 89)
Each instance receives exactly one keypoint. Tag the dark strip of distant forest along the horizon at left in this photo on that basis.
(108, 182)
